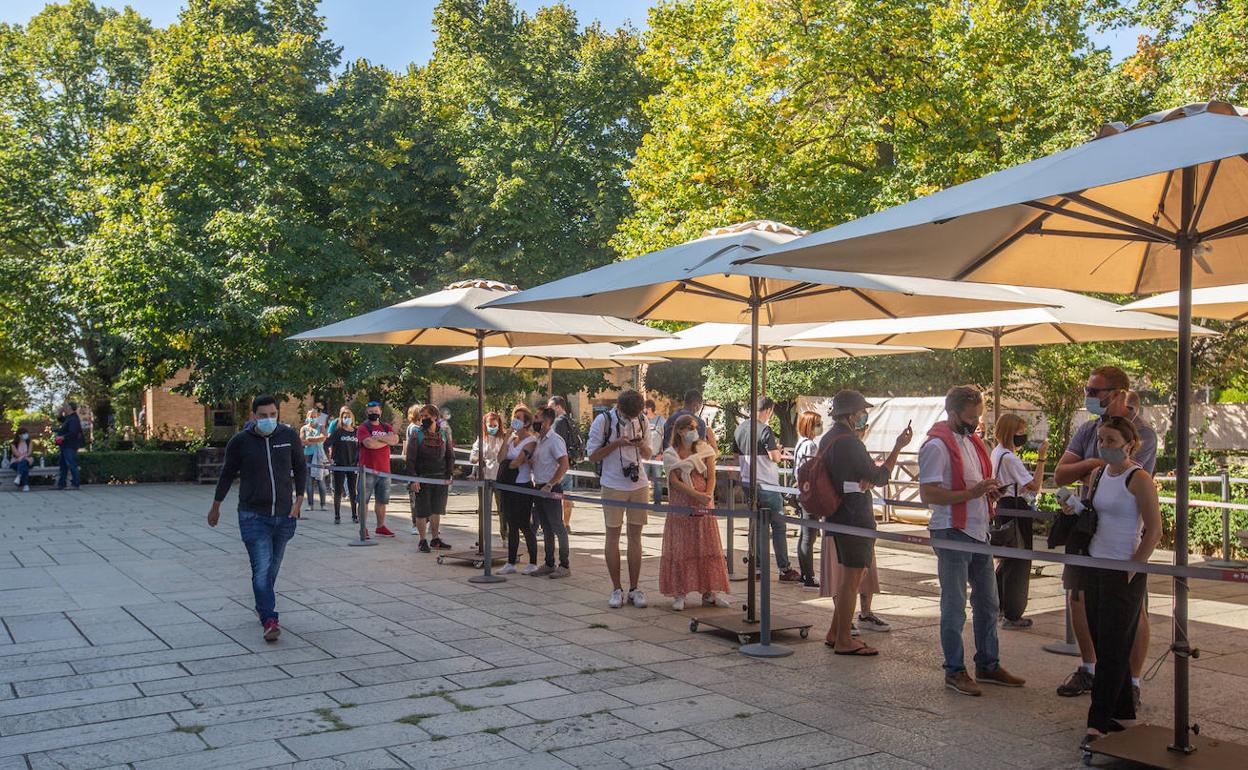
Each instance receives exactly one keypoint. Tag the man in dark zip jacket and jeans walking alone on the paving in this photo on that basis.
(269, 459)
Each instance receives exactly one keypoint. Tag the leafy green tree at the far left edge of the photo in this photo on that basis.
(73, 71)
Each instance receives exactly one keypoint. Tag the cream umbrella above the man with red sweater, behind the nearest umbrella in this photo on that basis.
(1070, 318)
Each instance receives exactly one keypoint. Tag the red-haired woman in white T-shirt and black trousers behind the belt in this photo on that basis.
(1014, 576)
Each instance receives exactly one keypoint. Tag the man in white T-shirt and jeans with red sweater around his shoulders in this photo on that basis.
(955, 481)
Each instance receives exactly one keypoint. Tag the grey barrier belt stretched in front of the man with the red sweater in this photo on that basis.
(1204, 573)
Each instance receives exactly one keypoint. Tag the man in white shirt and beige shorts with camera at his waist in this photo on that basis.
(618, 445)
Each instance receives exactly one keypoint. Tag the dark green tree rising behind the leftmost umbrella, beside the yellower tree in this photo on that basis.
(541, 119)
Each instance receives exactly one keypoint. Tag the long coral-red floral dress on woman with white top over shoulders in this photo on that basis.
(693, 556)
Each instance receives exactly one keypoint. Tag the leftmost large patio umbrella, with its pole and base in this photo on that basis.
(454, 318)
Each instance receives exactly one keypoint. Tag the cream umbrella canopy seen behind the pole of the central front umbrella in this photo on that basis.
(732, 343)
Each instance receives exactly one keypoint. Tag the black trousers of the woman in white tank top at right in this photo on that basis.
(1114, 608)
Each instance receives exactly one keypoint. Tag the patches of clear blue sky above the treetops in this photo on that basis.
(396, 33)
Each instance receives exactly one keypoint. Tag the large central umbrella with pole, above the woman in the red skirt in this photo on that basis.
(700, 281)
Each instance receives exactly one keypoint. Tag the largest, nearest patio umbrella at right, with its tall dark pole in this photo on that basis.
(1160, 205)
